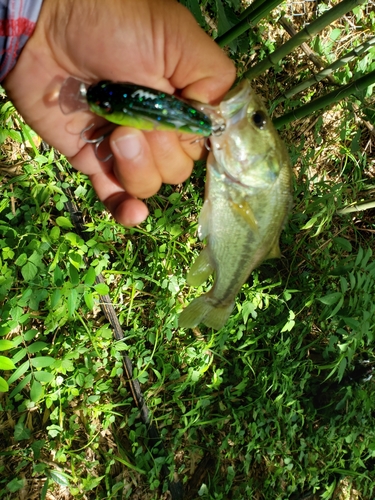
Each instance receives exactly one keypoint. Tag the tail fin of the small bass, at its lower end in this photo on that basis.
(202, 311)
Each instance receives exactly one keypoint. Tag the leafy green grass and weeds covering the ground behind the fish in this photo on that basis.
(279, 404)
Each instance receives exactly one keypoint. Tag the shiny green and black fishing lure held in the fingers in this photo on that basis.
(135, 106)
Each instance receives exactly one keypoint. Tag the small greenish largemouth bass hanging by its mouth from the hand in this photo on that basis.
(248, 197)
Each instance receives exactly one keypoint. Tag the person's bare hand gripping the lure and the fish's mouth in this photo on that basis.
(153, 43)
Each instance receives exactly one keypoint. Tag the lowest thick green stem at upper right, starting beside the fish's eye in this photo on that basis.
(326, 100)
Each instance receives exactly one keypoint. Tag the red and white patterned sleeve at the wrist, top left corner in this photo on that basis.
(17, 23)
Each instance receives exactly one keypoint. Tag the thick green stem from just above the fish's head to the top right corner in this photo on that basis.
(308, 32)
